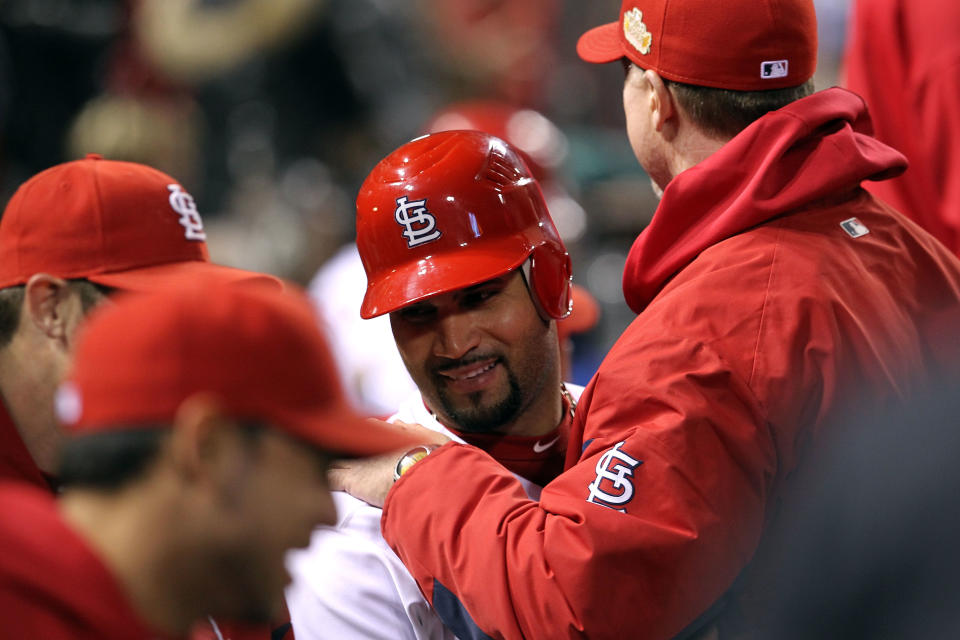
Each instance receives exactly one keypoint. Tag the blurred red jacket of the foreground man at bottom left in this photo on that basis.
(52, 585)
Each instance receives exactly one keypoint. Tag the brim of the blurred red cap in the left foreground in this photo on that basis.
(344, 433)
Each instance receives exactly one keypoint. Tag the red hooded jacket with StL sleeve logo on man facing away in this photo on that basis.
(761, 326)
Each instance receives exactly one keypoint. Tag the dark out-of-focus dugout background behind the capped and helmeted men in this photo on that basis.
(271, 112)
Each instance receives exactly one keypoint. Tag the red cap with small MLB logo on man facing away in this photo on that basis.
(743, 45)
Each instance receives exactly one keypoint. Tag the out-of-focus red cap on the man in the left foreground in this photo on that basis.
(255, 350)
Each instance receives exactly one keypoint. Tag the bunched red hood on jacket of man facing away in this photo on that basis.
(815, 148)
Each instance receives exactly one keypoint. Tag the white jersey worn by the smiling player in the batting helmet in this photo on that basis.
(349, 584)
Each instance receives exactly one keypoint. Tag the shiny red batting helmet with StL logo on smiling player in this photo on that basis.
(450, 210)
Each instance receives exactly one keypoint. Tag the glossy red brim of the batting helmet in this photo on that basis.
(432, 276)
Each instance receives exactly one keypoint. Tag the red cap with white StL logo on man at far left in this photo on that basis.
(120, 224)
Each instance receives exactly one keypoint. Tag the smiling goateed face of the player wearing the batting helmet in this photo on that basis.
(479, 355)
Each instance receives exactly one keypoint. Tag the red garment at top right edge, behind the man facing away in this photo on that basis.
(903, 57)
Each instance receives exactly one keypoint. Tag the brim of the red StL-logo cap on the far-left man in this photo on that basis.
(177, 274)
